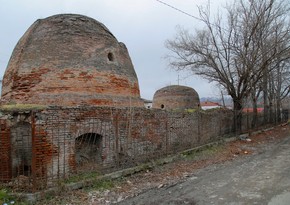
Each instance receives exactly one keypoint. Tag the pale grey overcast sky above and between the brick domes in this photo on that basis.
(143, 25)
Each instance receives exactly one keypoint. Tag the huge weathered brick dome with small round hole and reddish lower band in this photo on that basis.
(69, 60)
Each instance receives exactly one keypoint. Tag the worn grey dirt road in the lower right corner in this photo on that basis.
(262, 177)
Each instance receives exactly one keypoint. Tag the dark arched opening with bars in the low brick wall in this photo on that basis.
(88, 149)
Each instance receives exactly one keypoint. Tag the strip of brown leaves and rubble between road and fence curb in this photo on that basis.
(172, 173)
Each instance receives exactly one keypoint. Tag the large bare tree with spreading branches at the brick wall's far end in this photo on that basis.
(235, 52)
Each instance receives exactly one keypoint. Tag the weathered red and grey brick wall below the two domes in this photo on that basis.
(128, 136)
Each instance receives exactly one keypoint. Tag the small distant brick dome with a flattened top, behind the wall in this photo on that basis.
(176, 97)
